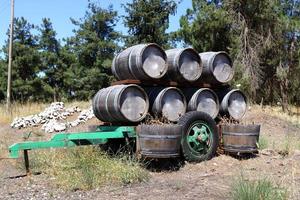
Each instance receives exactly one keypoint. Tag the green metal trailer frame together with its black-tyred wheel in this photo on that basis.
(199, 133)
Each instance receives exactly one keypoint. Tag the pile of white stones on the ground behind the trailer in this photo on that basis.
(51, 116)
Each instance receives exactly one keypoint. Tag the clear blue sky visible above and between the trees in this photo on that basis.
(60, 11)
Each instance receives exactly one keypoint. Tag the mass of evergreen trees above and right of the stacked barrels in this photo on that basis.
(262, 37)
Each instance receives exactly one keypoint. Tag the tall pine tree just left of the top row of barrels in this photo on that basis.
(94, 44)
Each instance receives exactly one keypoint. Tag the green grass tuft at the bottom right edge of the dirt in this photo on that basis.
(262, 189)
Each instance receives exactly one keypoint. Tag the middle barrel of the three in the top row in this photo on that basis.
(184, 65)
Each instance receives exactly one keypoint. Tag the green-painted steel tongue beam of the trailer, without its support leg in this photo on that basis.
(100, 136)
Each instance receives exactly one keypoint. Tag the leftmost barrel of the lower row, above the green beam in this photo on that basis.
(121, 103)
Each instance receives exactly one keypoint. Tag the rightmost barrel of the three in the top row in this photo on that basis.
(217, 67)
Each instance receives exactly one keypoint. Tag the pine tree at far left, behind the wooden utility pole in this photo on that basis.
(26, 85)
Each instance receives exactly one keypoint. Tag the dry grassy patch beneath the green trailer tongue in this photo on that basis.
(86, 168)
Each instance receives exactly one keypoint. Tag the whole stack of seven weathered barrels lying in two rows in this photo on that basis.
(168, 84)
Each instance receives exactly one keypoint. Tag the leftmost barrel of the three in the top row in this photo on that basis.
(141, 62)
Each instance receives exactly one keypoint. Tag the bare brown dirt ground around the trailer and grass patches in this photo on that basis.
(210, 180)
